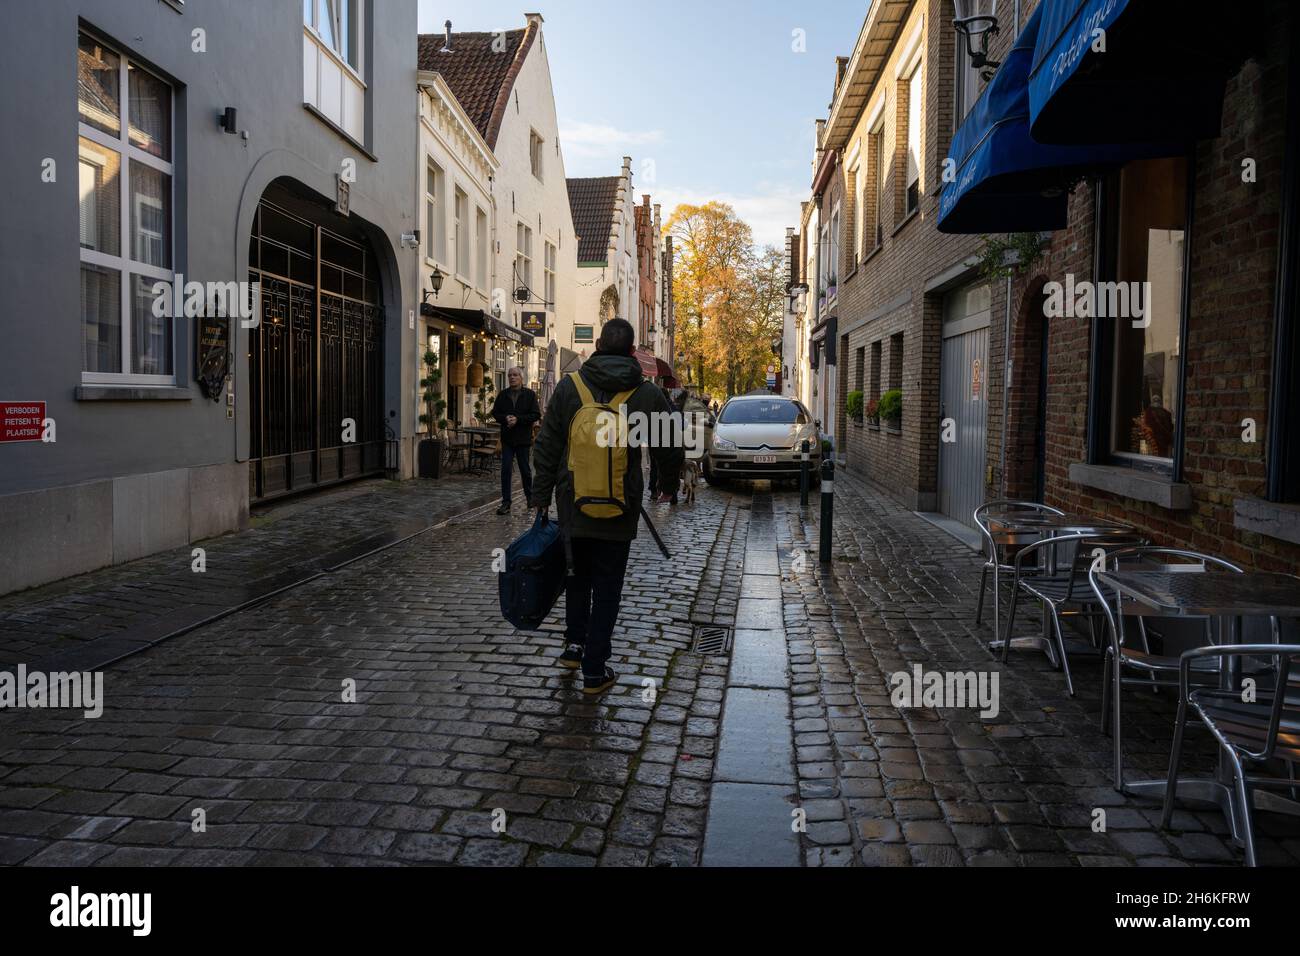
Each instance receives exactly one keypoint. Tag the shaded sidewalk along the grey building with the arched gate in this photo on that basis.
(90, 620)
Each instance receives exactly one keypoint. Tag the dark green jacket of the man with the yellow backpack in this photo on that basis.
(606, 377)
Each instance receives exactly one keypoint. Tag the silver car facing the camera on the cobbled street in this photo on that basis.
(761, 438)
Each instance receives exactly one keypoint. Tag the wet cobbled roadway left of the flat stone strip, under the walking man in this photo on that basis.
(457, 720)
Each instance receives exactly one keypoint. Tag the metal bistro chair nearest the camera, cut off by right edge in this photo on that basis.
(1249, 734)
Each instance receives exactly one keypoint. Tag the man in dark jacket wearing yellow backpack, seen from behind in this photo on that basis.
(597, 483)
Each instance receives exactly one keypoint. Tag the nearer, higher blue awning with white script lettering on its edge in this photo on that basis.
(1160, 77)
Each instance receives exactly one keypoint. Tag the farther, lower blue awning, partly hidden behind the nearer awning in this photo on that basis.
(1007, 181)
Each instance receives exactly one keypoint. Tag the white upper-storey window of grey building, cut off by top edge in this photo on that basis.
(333, 72)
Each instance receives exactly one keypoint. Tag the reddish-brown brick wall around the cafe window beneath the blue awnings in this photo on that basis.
(1234, 252)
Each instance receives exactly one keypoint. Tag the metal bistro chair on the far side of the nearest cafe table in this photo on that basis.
(1146, 668)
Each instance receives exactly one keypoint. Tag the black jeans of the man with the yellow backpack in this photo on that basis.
(593, 596)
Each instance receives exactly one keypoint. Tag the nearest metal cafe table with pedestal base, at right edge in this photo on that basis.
(1208, 595)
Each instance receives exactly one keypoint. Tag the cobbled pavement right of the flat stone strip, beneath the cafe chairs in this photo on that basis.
(925, 786)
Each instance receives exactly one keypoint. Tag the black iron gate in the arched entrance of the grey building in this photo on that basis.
(317, 360)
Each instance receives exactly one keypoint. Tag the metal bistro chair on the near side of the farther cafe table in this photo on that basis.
(1059, 581)
